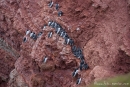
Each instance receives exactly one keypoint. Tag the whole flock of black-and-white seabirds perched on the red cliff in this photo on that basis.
(62, 33)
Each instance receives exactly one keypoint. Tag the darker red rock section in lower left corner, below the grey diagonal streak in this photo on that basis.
(6, 65)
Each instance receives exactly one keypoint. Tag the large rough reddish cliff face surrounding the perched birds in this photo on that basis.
(99, 27)
